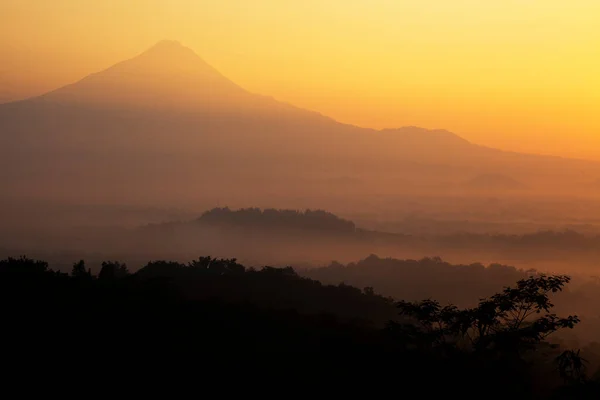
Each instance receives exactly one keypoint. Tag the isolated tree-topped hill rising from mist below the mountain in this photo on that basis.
(258, 237)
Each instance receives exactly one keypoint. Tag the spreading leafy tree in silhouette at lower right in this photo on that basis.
(507, 323)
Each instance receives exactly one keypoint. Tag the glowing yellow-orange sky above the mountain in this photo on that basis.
(518, 75)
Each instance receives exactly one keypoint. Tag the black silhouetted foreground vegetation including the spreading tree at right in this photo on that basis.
(215, 312)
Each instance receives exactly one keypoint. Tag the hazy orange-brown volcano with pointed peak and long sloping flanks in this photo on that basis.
(167, 127)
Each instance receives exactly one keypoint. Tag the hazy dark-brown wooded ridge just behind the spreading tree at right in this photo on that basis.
(462, 285)
